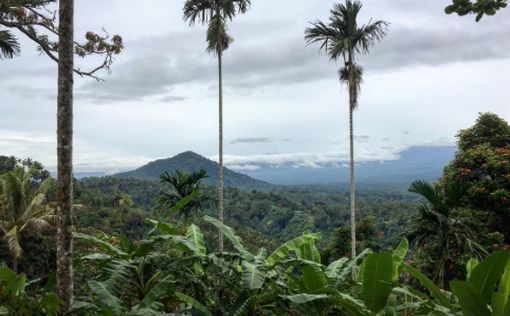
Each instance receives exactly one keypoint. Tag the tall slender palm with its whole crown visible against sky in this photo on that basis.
(343, 39)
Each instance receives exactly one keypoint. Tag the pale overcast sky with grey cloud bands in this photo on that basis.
(428, 78)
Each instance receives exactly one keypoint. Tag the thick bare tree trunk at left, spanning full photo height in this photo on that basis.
(65, 153)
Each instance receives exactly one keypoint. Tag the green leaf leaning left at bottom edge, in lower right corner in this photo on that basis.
(470, 299)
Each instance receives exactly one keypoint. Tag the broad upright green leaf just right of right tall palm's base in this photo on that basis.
(377, 276)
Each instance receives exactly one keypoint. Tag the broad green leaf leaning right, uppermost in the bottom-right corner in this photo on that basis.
(487, 273)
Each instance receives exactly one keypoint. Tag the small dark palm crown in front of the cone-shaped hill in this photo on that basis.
(179, 185)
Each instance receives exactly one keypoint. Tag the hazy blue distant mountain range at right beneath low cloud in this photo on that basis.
(420, 162)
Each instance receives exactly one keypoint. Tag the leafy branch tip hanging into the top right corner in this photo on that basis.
(478, 7)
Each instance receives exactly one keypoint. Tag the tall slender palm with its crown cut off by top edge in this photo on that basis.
(216, 13)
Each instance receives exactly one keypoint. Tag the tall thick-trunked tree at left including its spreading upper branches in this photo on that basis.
(36, 21)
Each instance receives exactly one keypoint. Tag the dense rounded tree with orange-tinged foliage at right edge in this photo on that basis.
(483, 163)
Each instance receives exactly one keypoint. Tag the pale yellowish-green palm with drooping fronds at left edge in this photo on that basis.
(23, 207)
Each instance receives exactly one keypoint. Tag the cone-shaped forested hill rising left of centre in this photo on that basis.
(190, 162)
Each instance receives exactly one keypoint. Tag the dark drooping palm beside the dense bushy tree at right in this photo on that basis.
(441, 230)
